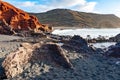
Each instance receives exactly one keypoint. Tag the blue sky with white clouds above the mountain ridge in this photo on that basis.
(91, 6)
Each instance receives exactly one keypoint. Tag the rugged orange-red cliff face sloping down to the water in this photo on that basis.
(14, 19)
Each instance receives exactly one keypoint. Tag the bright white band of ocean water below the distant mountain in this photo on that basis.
(94, 33)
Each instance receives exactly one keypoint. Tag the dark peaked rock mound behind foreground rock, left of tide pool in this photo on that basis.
(78, 44)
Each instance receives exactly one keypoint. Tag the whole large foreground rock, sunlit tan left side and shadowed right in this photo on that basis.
(15, 62)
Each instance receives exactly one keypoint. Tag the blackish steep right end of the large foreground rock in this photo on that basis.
(59, 56)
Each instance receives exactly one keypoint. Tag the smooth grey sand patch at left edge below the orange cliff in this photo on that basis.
(6, 46)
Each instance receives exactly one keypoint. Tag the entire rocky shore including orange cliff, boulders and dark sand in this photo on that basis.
(29, 51)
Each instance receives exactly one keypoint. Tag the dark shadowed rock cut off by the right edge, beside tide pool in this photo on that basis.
(114, 51)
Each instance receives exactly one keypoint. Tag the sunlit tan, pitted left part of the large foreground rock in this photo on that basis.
(15, 61)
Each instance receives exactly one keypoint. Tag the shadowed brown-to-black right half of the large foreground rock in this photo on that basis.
(51, 54)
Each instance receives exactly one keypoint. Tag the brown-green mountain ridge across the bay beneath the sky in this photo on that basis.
(70, 18)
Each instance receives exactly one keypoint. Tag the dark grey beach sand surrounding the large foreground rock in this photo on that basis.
(85, 66)
